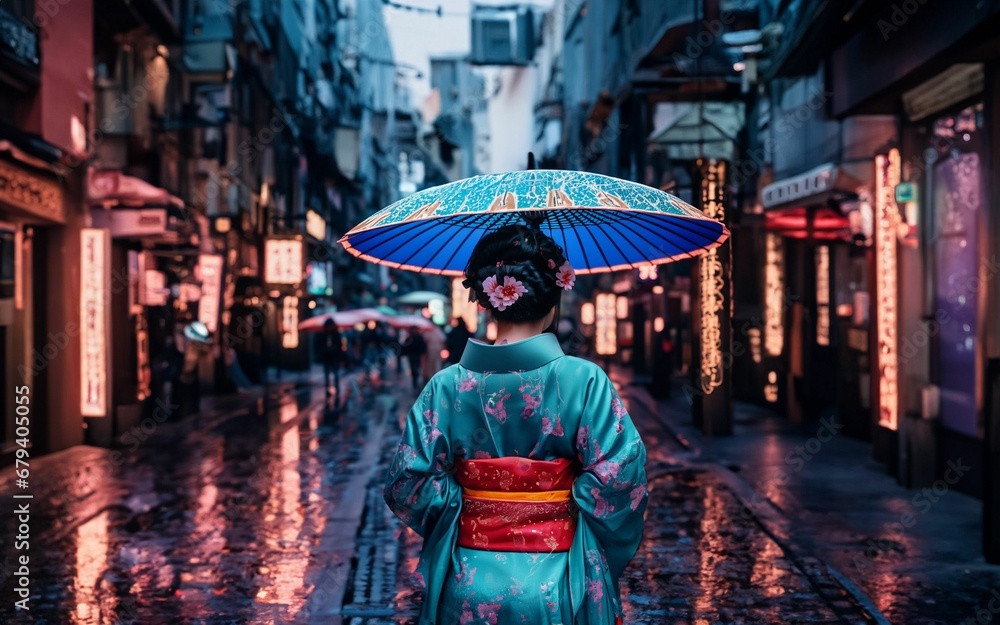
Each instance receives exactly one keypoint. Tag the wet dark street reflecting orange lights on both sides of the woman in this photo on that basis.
(267, 510)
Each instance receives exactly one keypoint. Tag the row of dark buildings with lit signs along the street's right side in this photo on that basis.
(857, 144)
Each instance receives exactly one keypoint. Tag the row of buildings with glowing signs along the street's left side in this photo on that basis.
(163, 163)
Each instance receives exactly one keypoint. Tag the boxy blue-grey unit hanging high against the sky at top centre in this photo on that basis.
(502, 36)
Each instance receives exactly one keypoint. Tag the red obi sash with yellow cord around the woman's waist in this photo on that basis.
(516, 504)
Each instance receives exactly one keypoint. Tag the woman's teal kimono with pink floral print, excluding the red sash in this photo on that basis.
(528, 400)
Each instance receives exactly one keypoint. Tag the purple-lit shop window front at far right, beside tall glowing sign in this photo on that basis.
(944, 239)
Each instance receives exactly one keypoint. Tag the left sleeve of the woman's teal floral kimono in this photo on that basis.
(420, 486)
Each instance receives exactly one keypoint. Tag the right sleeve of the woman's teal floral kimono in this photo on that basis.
(611, 490)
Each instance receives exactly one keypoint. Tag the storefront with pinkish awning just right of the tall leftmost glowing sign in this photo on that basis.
(137, 224)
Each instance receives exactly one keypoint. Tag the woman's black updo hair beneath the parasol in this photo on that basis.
(527, 255)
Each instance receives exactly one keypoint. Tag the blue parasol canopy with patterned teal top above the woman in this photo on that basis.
(602, 223)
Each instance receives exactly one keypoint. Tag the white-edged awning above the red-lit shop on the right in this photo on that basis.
(818, 185)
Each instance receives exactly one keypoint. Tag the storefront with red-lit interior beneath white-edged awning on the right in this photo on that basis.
(813, 344)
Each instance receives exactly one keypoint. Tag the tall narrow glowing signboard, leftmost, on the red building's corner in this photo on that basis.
(93, 322)
